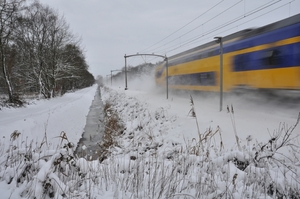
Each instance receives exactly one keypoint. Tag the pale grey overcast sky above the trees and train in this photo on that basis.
(109, 29)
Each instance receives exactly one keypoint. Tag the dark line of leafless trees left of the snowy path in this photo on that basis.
(38, 53)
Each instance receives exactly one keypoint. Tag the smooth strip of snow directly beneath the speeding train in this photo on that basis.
(258, 116)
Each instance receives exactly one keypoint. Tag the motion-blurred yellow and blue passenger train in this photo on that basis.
(266, 58)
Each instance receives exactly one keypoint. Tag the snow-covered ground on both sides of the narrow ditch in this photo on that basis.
(159, 154)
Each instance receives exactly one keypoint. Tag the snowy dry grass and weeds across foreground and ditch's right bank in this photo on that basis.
(138, 161)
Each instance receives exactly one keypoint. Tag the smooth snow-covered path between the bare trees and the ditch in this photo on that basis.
(67, 113)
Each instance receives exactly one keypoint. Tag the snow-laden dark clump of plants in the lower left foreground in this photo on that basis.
(41, 172)
